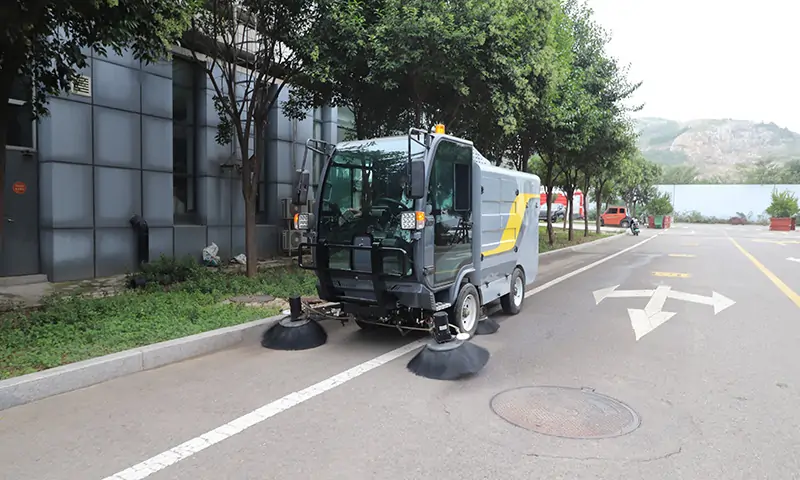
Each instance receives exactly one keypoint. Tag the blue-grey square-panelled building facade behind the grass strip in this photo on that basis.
(139, 139)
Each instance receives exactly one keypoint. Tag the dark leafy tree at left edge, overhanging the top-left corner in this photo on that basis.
(42, 45)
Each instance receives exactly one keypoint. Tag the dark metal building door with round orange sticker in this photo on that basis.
(20, 254)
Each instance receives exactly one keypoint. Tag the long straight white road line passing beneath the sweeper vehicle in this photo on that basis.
(187, 449)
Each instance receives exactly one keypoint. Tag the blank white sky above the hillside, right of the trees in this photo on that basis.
(709, 58)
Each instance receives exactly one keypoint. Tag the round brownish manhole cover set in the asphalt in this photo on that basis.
(565, 412)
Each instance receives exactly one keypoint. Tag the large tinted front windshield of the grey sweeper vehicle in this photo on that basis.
(364, 193)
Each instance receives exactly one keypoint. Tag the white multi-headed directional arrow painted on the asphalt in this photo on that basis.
(644, 321)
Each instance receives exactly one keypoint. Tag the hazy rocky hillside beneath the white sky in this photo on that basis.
(715, 146)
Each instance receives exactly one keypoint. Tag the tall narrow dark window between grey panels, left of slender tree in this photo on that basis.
(186, 77)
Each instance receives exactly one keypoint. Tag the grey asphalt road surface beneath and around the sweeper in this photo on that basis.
(714, 396)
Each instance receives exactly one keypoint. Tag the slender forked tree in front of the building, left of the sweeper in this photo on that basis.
(253, 48)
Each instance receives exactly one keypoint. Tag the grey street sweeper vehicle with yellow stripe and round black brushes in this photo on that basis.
(416, 232)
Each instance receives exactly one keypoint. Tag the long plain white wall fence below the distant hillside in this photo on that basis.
(724, 201)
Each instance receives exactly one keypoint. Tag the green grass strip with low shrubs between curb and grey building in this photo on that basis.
(68, 329)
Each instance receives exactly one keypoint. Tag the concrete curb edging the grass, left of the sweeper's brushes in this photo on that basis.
(36, 386)
